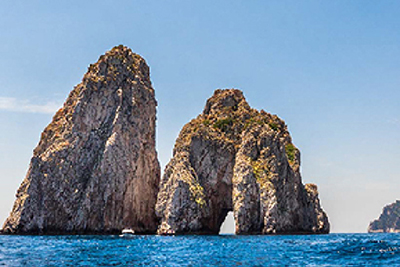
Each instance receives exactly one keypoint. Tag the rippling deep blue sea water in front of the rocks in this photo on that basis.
(228, 250)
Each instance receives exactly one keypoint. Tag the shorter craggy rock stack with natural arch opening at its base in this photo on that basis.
(235, 158)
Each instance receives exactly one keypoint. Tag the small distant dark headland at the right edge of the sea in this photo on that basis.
(389, 221)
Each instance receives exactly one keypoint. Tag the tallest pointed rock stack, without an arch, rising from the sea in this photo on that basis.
(95, 169)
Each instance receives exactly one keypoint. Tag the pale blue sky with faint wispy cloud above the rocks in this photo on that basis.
(330, 69)
